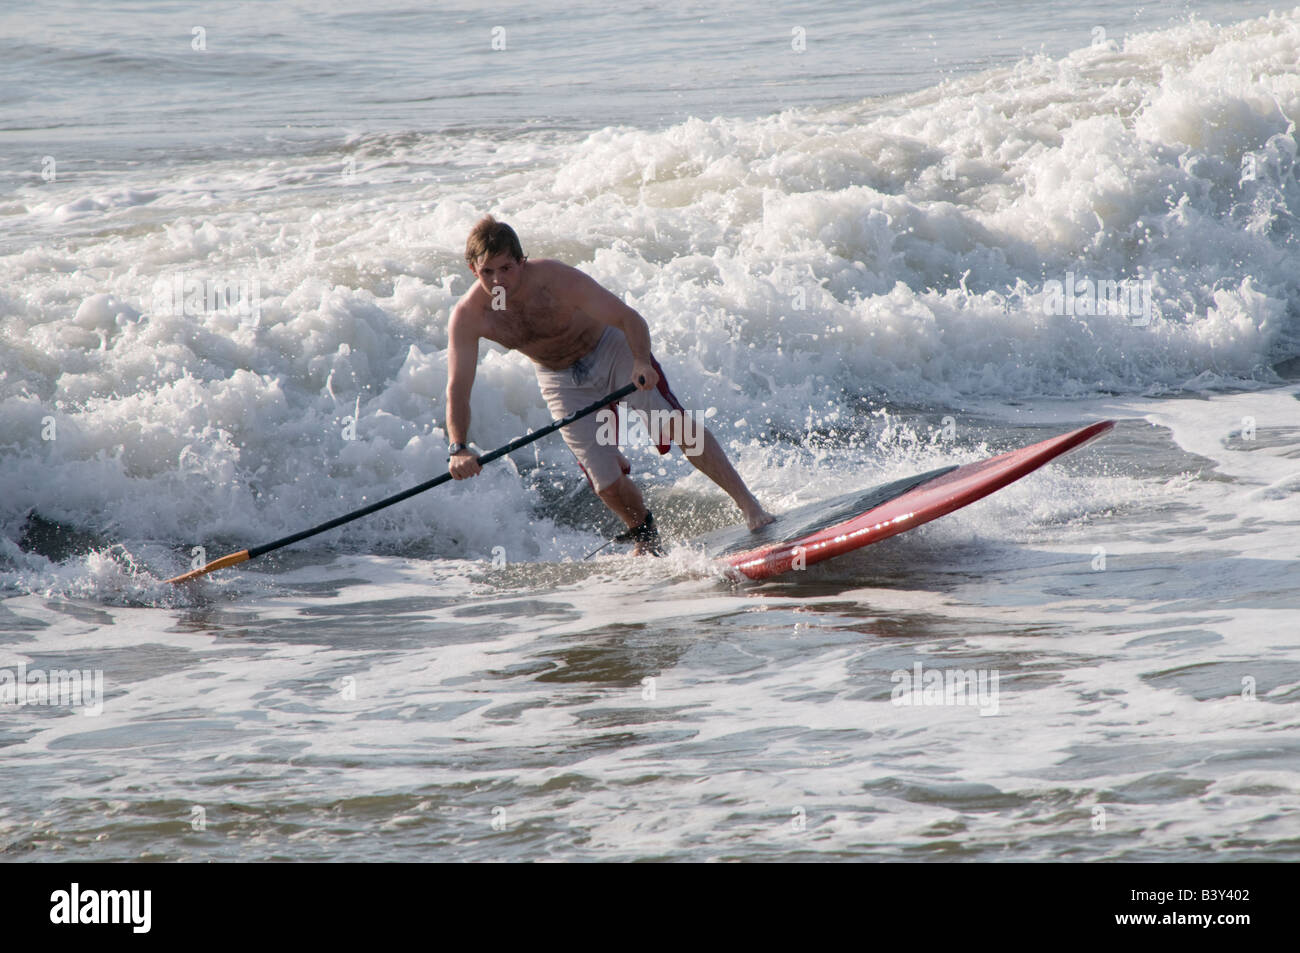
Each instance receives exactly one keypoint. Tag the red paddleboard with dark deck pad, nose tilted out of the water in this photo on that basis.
(835, 527)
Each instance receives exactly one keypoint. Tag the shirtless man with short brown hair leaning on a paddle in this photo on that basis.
(586, 344)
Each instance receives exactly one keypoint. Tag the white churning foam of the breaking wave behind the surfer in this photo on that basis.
(894, 249)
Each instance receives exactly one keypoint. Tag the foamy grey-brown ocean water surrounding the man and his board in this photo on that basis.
(846, 229)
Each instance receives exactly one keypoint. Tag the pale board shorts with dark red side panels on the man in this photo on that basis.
(587, 380)
